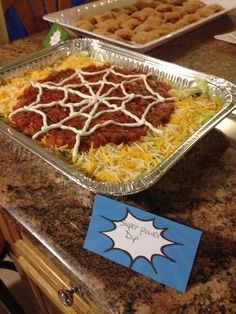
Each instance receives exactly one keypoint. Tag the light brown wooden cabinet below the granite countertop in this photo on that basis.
(42, 278)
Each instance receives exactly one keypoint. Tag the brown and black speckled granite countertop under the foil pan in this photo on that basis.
(55, 211)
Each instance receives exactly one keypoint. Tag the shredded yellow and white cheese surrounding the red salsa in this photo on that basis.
(121, 163)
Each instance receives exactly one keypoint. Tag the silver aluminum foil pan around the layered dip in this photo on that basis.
(124, 58)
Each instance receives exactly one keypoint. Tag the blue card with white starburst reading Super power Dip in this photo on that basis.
(154, 246)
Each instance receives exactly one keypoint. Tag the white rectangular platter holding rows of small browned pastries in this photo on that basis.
(68, 18)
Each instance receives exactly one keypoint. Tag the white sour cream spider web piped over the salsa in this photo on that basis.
(92, 100)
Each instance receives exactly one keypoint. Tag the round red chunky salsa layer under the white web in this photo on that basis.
(70, 97)
